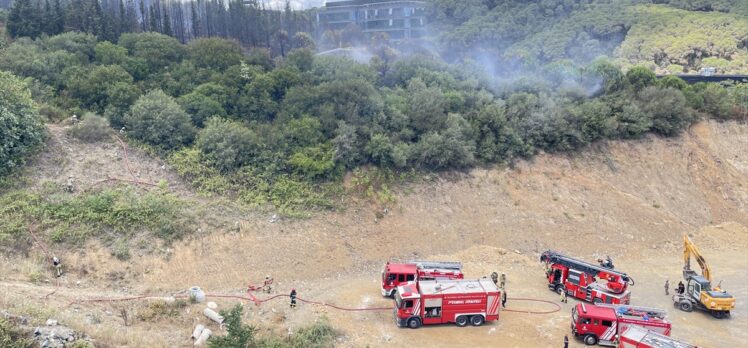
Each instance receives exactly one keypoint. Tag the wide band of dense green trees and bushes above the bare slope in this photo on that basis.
(280, 131)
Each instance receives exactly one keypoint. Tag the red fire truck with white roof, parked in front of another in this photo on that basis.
(441, 301)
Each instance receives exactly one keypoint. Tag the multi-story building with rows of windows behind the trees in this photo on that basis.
(400, 19)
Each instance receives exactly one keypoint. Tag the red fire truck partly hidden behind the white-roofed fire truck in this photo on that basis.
(395, 274)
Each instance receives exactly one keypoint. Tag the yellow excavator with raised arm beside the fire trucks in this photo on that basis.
(699, 292)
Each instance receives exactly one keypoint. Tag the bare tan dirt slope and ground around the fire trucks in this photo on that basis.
(630, 200)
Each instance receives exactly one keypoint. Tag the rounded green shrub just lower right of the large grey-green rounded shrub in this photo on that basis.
(228, 145)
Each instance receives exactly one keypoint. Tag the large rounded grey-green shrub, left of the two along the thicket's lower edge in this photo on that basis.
(158, 120)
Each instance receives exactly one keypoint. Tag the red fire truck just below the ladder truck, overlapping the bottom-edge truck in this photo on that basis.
(603, 323)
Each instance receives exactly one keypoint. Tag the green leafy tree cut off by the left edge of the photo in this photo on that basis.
(21, 127)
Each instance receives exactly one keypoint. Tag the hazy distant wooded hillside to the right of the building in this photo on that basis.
(674, 36)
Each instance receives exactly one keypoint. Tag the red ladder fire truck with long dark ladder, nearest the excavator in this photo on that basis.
(579, 279)
